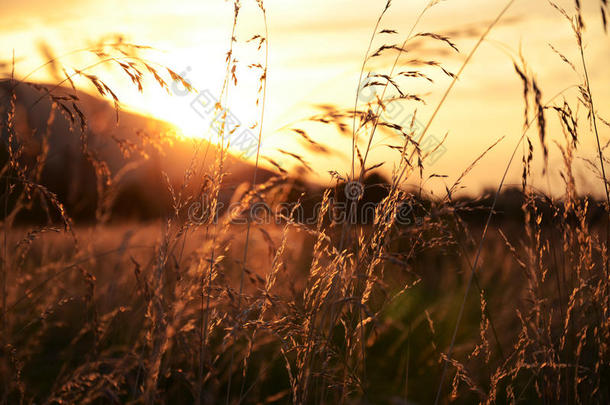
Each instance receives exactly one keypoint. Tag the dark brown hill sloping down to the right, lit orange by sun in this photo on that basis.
(131, 151)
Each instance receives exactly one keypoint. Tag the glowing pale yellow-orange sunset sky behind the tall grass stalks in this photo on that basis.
(316, 49)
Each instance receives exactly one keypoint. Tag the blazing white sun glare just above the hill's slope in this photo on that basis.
(196, 114)
